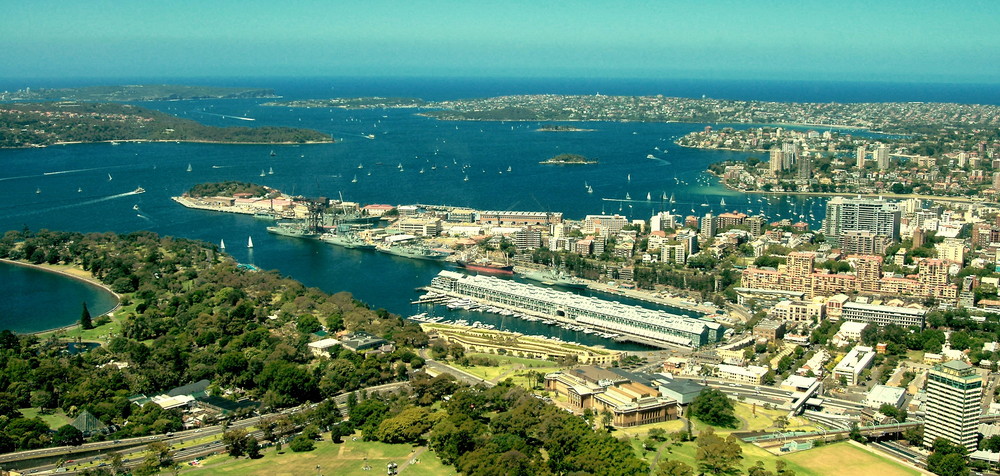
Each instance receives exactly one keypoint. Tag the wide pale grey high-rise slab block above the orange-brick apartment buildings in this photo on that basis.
(876, 215)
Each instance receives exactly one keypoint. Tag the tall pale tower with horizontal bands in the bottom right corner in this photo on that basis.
(954, 403)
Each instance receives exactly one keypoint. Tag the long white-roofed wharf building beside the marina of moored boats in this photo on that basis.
(647, 324)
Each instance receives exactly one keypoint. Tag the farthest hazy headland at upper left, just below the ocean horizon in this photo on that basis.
(139, 92)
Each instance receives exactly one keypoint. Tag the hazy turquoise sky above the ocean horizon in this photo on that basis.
(874, 40)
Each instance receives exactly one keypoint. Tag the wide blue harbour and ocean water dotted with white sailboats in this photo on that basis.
(86, 187)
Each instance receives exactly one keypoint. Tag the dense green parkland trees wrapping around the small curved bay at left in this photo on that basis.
(190, 314)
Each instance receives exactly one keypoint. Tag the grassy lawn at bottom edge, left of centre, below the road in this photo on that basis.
(343, 459)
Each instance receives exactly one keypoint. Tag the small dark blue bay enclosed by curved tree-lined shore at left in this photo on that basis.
(36, 300)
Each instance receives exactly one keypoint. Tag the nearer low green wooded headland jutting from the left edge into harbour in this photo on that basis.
(44, 124)
